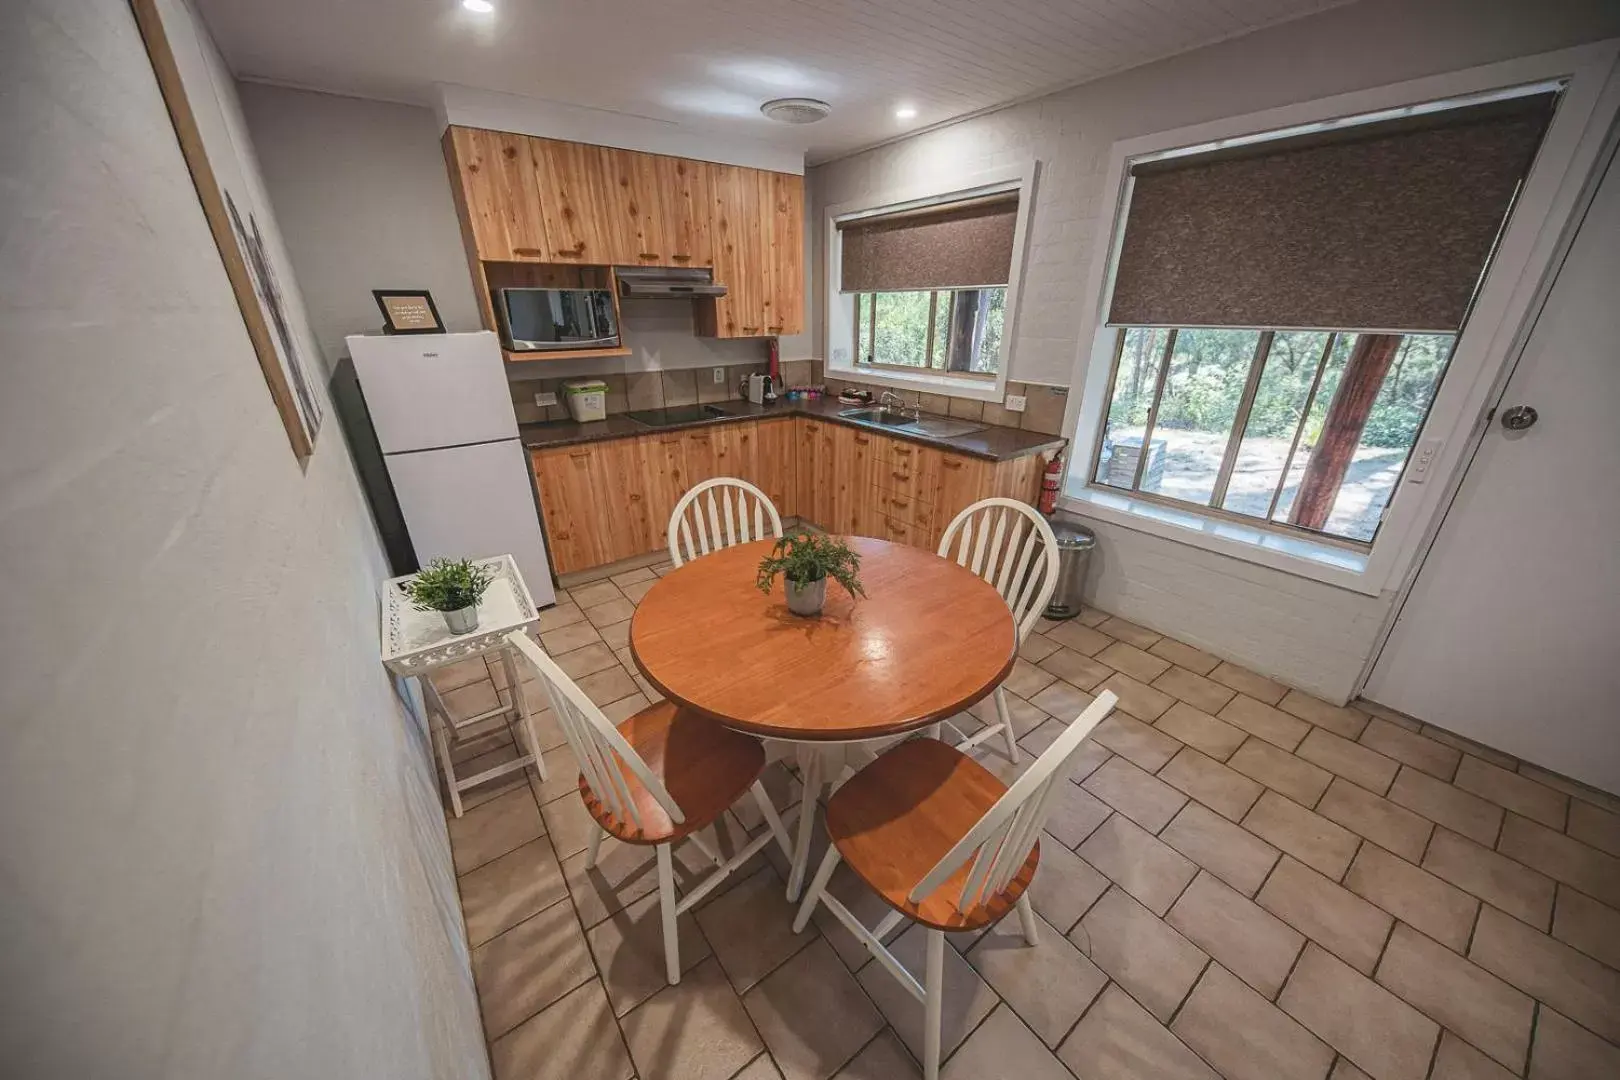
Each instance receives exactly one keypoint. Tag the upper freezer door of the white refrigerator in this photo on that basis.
(435, 389)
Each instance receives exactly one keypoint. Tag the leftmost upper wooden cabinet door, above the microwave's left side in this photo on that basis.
(501, 190)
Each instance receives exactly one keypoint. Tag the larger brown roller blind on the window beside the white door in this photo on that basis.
(1384, 226)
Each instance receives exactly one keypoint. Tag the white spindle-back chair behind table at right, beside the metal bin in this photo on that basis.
(1008, 545)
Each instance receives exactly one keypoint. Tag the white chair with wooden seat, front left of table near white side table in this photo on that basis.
(659, 780)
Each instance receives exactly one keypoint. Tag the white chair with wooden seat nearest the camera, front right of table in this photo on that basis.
(945, 844)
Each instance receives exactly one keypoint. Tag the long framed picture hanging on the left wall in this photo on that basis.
(202, 100)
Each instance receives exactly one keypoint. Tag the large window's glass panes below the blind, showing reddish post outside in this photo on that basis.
(1305, 430)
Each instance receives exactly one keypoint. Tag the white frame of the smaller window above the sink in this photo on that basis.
(838, 313)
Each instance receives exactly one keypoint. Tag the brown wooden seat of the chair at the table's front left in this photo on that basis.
(702, 765)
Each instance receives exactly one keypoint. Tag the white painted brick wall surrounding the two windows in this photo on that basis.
(1305, 634)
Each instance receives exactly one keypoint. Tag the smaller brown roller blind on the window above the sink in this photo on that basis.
(961, 245)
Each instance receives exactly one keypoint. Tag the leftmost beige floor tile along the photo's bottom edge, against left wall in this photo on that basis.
(573, 1040)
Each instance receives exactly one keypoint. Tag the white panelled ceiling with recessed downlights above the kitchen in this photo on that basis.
(709, 64)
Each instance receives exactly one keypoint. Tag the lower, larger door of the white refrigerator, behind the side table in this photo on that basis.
(472, 503)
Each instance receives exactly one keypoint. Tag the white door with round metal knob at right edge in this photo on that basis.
(1512, 631)
